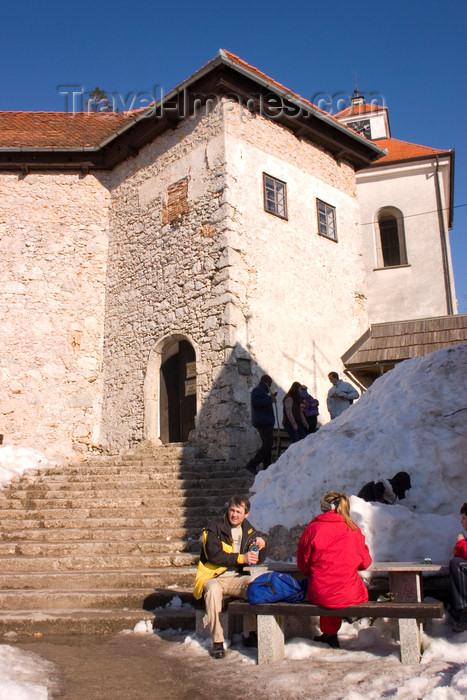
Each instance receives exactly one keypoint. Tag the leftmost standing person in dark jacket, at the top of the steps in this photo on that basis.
(262, 418)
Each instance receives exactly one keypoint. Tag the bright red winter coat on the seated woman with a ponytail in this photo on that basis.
(330, 554)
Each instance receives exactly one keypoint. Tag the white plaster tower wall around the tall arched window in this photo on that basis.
(416, 290)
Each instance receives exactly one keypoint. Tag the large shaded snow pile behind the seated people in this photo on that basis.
(412, 419)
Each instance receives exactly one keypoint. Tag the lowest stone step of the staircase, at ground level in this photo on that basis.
(41, 622)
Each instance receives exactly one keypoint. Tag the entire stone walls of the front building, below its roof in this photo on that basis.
(102, 274)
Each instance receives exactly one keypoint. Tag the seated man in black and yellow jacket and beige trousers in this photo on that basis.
(229, 544)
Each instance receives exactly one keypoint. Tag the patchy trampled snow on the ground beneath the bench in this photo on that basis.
(366, 666)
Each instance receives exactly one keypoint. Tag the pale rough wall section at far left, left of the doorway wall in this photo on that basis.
(53, 238)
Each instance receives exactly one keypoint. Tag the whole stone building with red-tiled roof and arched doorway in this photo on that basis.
(156, 263)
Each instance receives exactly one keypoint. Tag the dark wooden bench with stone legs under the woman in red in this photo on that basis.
(270, 619)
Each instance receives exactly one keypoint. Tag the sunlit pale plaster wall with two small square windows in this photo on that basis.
(305, 296)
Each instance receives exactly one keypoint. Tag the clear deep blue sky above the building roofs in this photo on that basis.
(410, 51)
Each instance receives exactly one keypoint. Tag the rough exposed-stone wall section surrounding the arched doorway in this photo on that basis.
(169, 278)
